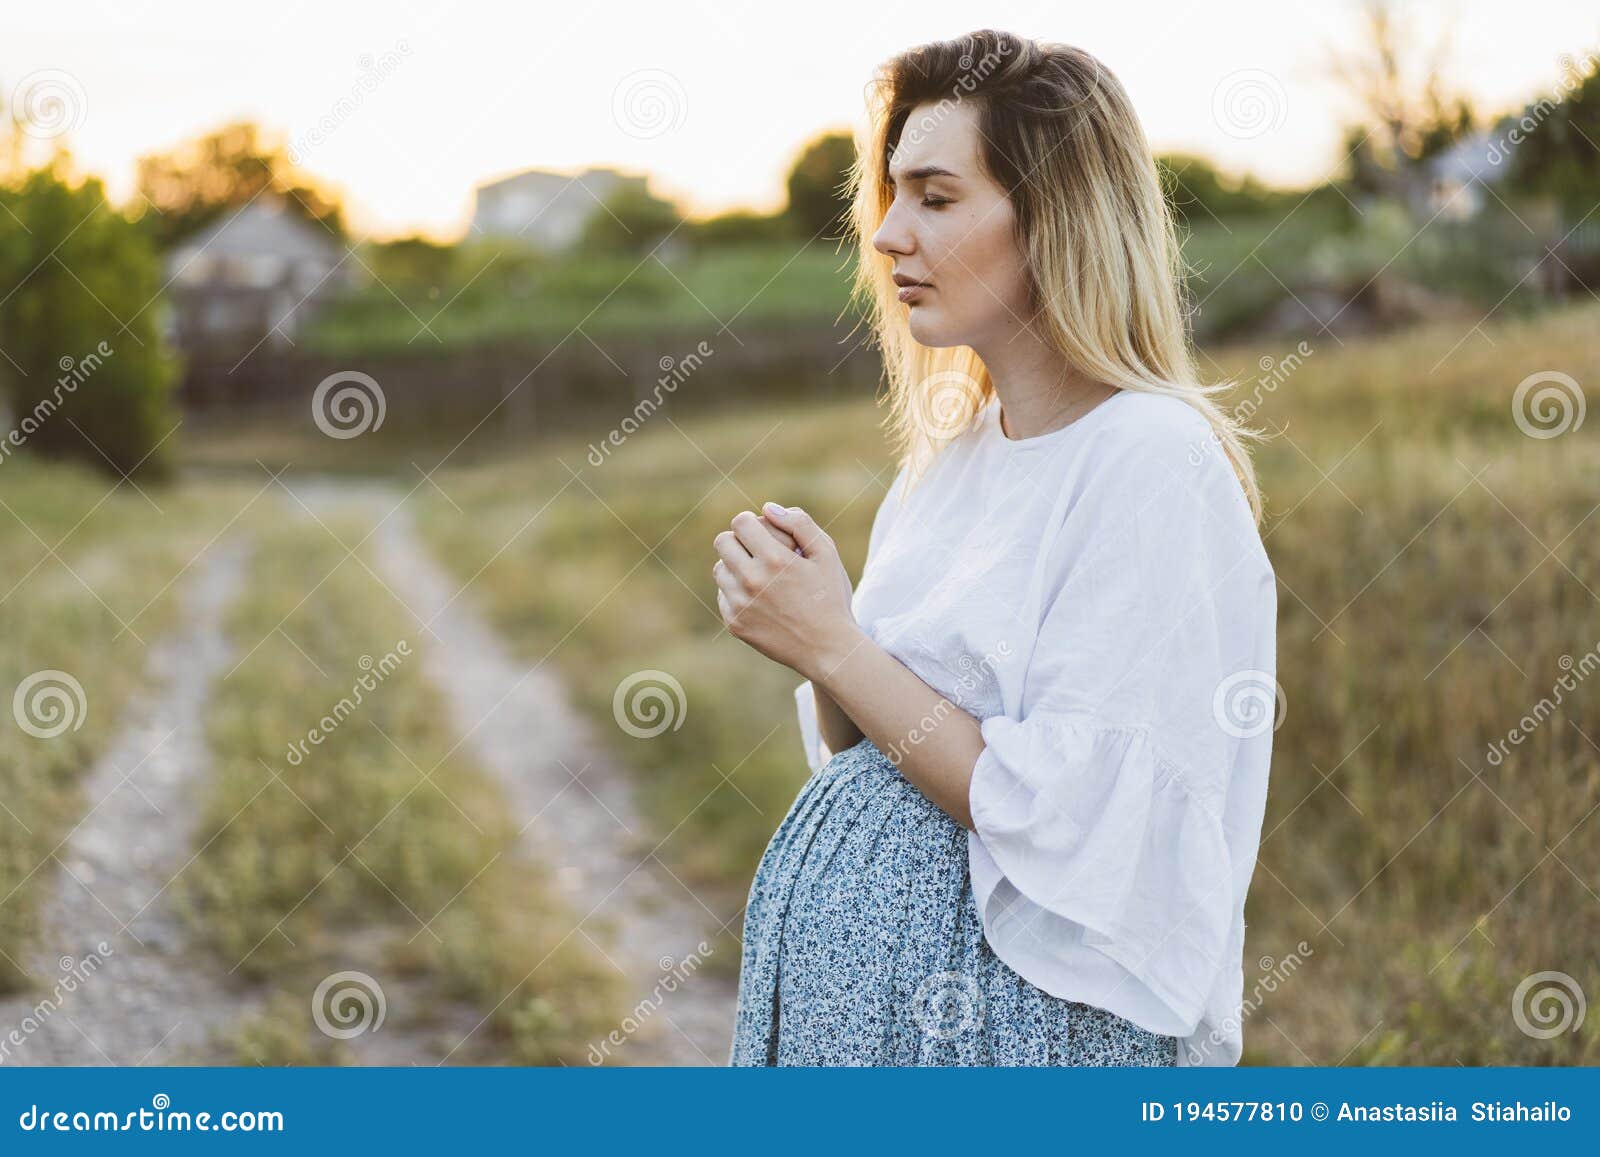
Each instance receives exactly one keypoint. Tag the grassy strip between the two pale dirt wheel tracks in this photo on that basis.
(380, 846)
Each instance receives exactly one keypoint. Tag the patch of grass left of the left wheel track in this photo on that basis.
(89, 575)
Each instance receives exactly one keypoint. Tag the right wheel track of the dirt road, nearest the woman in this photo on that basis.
(577, 804)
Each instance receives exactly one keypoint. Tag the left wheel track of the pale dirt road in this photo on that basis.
(140, 999)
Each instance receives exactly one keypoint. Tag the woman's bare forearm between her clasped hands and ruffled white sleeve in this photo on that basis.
(932, 742)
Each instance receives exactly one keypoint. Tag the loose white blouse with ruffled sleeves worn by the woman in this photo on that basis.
(1098, 598)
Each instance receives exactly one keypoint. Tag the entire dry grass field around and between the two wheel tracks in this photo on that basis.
(1439, 575)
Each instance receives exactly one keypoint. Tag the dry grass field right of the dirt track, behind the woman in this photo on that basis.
(1436, 566)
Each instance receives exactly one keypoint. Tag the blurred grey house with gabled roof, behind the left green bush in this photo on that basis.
(258, 274)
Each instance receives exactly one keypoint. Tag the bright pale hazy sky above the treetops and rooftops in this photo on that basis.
(713, 100)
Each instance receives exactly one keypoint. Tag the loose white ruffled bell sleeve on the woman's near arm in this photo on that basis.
(1118, 807)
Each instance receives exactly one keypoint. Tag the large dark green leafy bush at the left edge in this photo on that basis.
(87, 372)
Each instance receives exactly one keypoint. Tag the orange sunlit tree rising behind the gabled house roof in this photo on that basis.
(202, 180)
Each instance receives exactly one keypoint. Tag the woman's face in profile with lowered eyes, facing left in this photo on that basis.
(951, 228)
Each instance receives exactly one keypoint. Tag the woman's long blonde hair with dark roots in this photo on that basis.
(1105, 263)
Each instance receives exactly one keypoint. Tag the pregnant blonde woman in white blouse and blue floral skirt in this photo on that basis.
(1039, 729)
